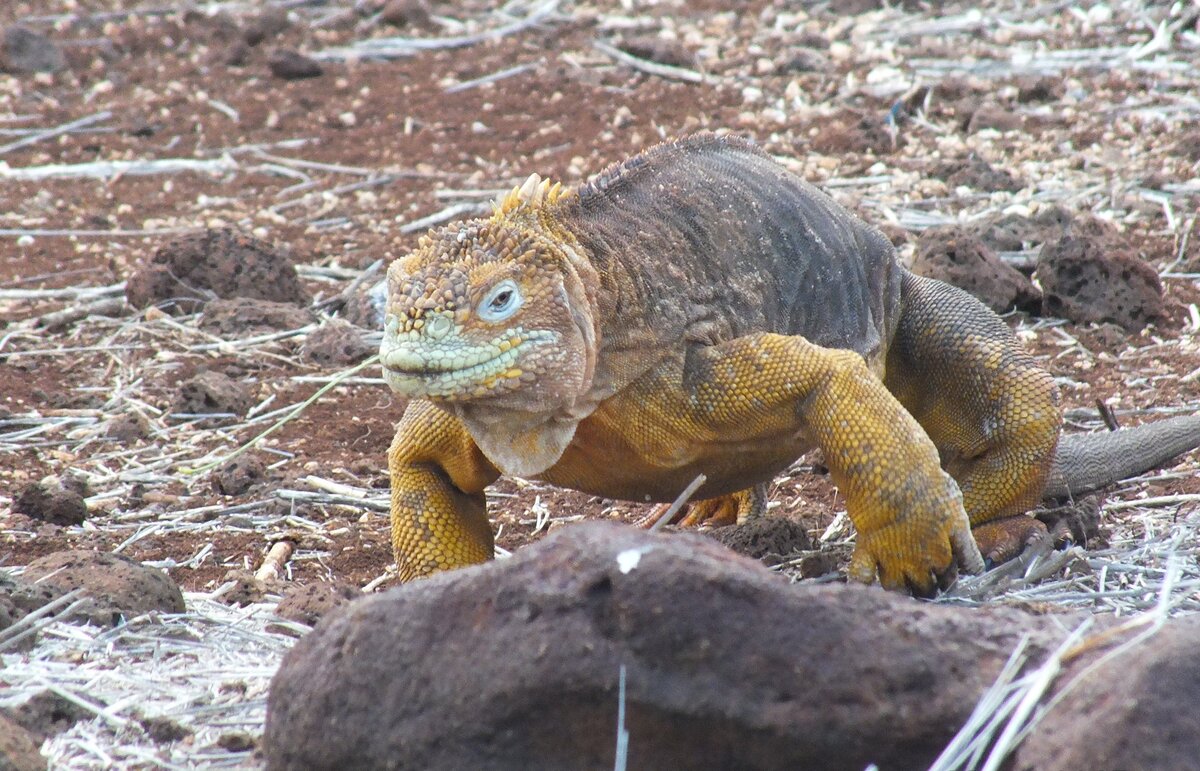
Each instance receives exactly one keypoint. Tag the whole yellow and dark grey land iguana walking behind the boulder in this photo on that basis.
(699, 309)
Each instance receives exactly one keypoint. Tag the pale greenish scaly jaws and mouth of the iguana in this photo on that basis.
(455, 369)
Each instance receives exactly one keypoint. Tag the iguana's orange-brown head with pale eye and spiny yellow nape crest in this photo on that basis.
(494, 312)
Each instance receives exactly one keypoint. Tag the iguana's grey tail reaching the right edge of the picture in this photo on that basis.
(1089, 462)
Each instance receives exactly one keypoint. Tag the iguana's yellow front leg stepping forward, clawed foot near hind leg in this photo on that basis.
(909, 513)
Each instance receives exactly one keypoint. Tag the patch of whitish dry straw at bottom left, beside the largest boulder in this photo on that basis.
(169, 667)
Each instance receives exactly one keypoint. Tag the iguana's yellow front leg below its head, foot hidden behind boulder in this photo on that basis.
(439, 511)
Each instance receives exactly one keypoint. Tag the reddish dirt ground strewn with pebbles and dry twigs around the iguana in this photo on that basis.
(335, 166)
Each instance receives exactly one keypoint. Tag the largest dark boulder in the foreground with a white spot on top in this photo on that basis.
(515, 665)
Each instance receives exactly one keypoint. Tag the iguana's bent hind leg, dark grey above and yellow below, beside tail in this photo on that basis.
(991, 410)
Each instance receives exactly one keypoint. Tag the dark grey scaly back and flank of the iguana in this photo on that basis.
(719, 241)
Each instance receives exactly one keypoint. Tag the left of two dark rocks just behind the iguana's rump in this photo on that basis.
(961, 259)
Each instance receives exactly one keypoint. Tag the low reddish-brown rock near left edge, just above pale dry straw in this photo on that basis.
(116, 587)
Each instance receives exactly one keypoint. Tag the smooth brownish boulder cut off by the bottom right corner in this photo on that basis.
(1135, 712)
